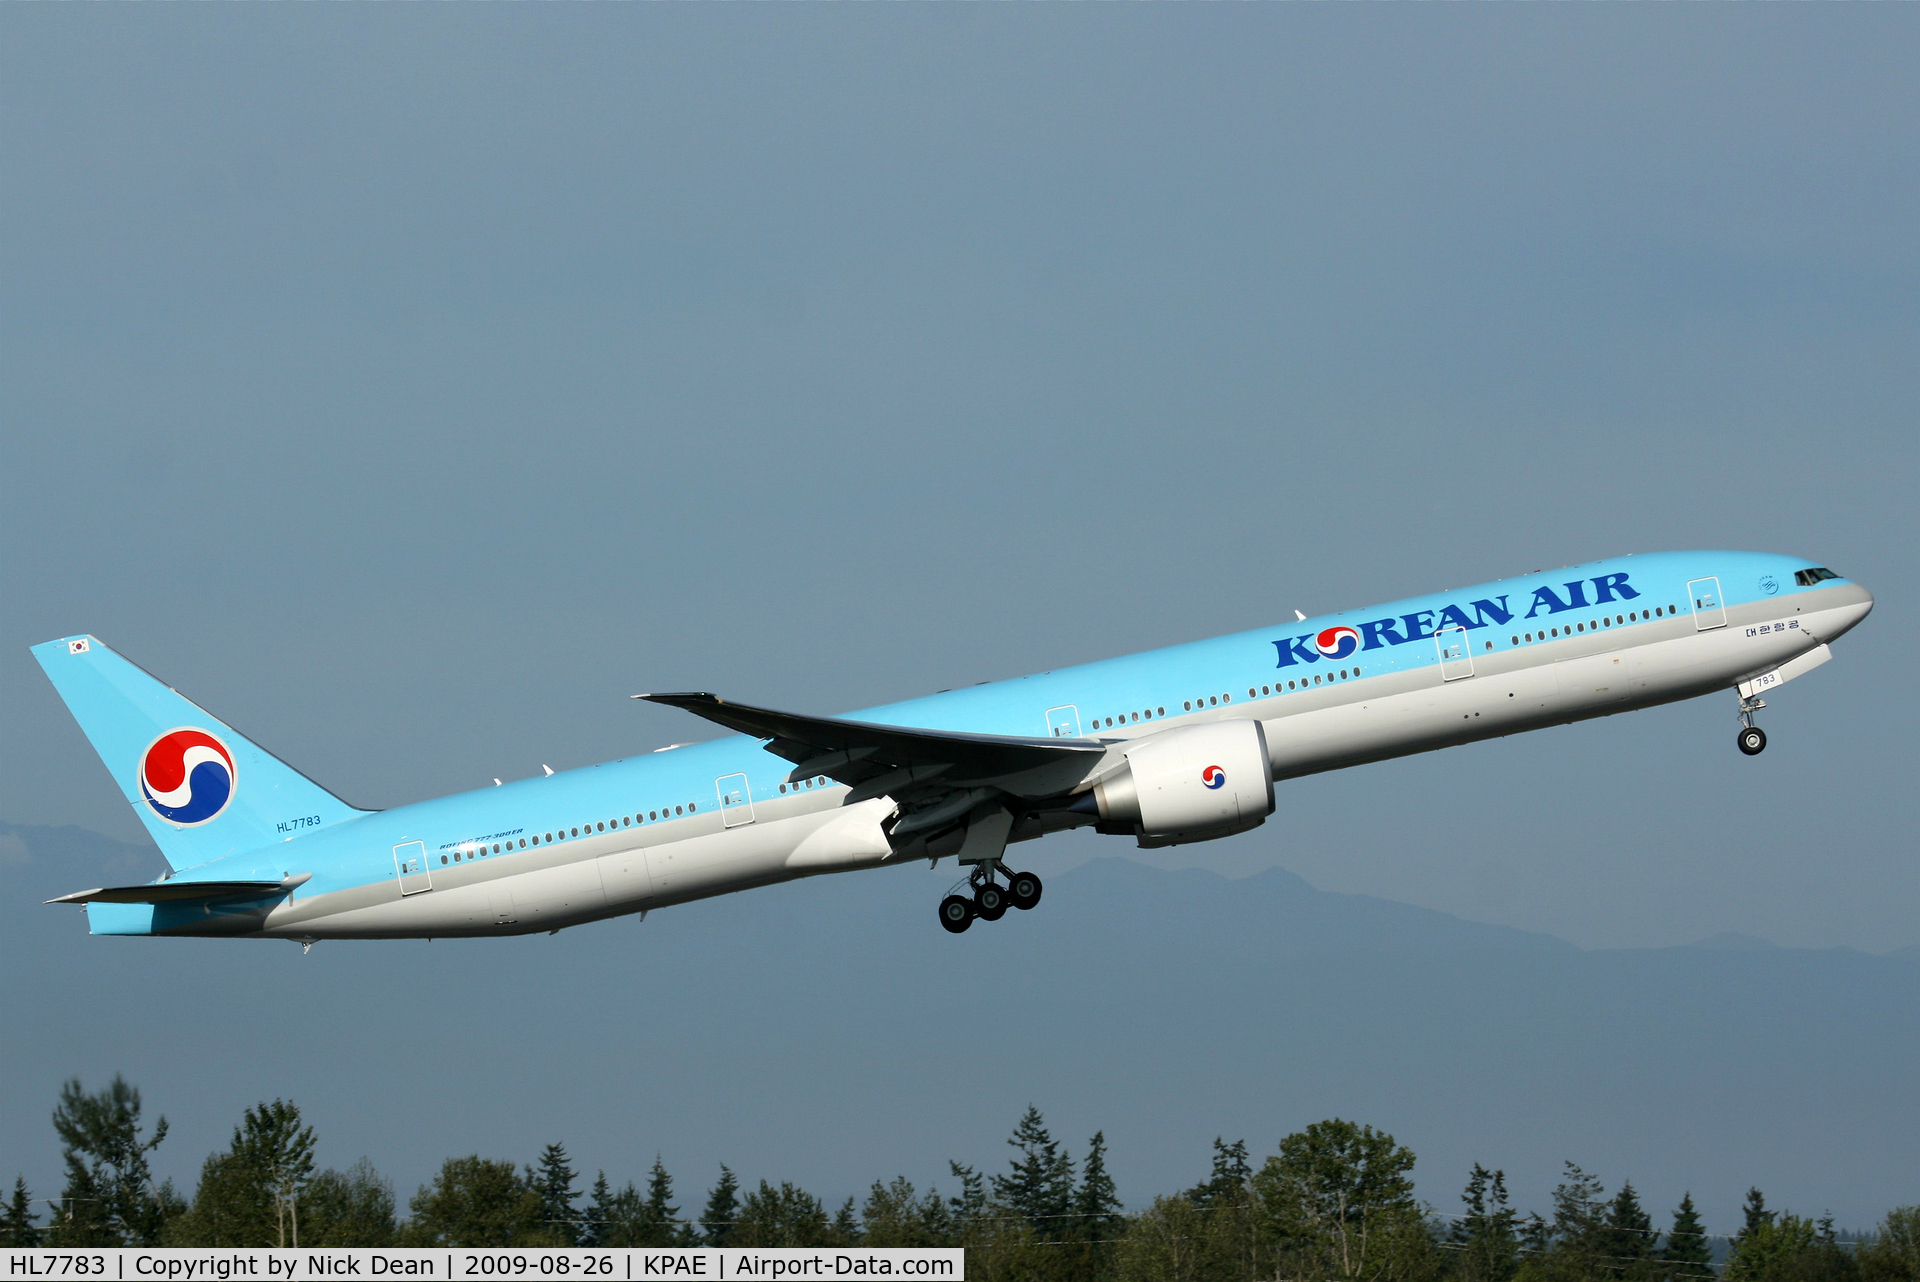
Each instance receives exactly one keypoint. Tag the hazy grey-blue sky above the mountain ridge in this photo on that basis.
(412, 385)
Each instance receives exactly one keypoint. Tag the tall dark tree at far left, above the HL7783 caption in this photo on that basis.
(110, 1197)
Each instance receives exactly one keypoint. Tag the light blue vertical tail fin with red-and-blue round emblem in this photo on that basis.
(199, 786)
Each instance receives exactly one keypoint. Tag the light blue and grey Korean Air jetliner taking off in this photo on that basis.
(1166, 748)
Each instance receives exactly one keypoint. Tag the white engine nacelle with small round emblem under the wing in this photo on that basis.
(1191, 784)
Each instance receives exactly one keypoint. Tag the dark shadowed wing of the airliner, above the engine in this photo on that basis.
(865, 753)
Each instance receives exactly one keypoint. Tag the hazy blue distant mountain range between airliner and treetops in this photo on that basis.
(830, 1033)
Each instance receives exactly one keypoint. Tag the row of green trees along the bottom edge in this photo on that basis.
(1335, 1204)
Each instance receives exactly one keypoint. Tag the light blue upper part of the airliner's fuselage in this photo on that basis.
(1155, 684)
